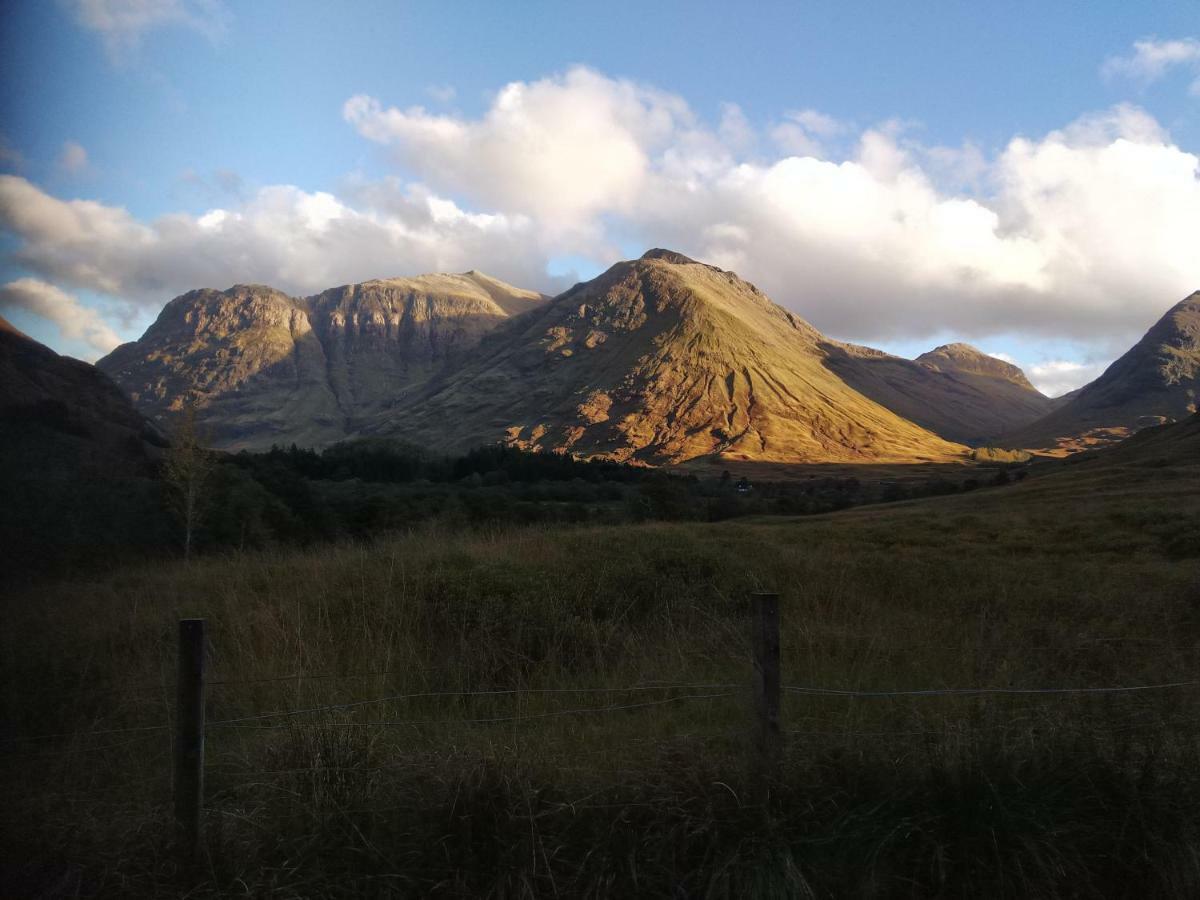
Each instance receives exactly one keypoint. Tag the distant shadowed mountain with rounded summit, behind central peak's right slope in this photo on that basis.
(956, 391)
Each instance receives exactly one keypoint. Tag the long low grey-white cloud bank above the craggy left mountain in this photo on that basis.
(296, 241)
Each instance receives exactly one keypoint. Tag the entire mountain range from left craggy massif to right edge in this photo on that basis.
(658, 361)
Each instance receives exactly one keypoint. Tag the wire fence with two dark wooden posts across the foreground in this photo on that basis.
(185, 727)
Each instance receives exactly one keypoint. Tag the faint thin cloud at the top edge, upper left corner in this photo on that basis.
(122, 25)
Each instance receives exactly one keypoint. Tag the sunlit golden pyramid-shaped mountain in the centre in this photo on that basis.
(661, 359)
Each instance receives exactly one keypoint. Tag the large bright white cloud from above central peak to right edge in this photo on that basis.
(1081, 232)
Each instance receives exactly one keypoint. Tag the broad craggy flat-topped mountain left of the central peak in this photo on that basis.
(265, 368)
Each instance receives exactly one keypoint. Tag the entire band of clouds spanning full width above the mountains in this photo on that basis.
(1087, 233)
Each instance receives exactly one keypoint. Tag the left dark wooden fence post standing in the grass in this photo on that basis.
(190, 737)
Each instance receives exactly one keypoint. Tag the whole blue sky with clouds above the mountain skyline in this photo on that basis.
(1023, 176)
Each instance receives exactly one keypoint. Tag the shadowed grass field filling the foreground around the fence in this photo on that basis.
(1088, 577)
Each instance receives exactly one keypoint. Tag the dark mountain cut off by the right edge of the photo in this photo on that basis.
(1157, 381)
